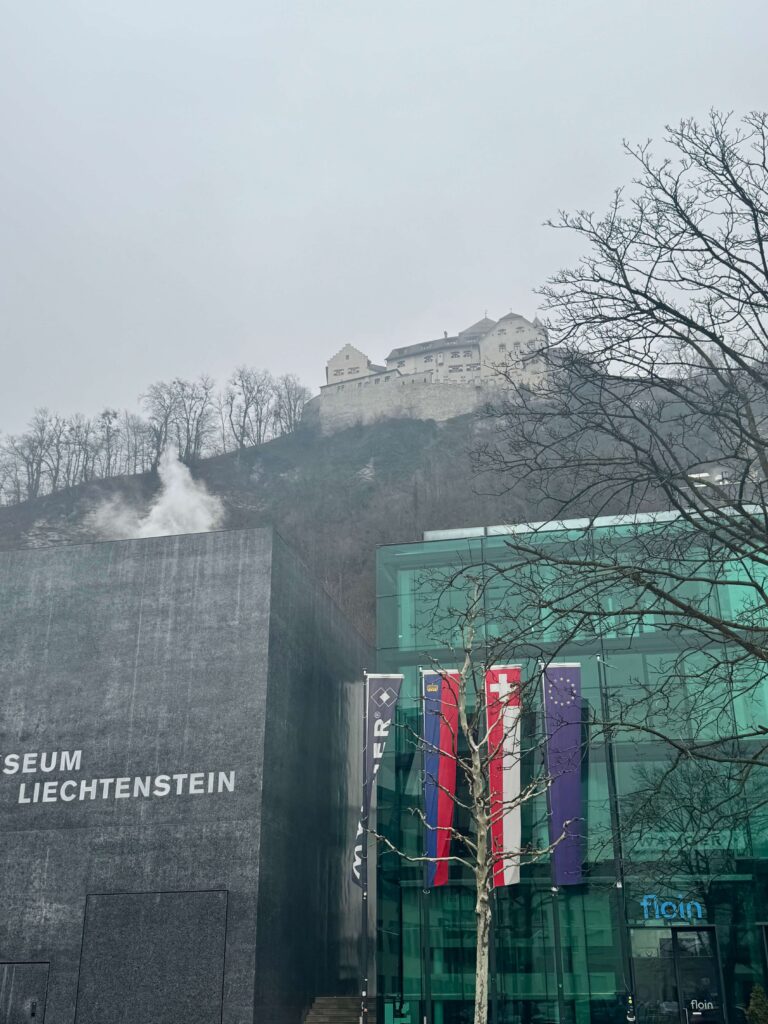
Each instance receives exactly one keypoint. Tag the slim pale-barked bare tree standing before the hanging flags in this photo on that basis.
(483, 737)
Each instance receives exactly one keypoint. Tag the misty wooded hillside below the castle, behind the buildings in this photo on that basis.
(334, 498)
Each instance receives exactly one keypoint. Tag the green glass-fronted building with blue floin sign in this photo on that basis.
(673, 910)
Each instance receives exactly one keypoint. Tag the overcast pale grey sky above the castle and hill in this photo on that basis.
(189, 185)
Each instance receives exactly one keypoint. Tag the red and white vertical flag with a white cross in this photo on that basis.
(503, 711)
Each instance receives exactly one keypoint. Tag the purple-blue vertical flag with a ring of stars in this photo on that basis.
(563, 712)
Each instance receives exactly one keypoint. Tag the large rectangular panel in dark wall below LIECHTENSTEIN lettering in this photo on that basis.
(153, 957)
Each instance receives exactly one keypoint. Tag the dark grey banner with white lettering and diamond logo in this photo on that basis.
(382, 694)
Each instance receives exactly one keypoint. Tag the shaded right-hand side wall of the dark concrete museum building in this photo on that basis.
(307, 905)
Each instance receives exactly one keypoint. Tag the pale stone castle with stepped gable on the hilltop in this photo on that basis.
(465, 366)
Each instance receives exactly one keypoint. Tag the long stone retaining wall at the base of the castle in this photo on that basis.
(335, 409)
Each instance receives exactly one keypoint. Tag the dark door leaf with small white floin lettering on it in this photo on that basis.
(696, 954)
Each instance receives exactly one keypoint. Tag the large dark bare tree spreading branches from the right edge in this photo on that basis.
(655, 398)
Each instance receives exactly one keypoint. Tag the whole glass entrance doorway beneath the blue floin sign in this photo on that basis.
(677, 976)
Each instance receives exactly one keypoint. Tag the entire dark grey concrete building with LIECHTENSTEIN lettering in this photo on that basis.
(176, 798)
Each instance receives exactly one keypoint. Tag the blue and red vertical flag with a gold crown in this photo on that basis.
(441, 749)
